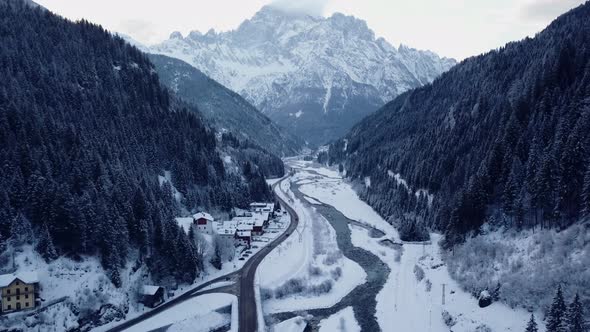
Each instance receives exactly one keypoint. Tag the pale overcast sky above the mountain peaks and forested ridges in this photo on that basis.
(452, 28)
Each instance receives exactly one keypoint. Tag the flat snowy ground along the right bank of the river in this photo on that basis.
(406, 303)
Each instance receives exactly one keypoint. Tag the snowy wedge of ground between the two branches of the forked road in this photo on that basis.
(197, 314)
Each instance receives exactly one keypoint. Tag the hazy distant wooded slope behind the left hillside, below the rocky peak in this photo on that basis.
(225, 109)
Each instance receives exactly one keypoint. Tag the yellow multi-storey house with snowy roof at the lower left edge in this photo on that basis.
(19, 291)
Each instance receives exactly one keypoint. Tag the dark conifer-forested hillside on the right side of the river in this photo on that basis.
(502, 137)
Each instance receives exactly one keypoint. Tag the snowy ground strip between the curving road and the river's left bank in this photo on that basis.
(311, 256)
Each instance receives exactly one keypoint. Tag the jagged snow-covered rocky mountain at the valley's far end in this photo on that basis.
(317, 76)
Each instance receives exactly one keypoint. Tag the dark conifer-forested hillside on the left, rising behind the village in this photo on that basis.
(85, 131)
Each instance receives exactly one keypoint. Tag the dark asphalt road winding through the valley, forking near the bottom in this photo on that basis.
(246, 300)
